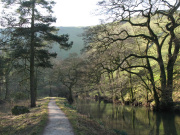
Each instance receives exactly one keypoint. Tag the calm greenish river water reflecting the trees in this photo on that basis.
(128, 120)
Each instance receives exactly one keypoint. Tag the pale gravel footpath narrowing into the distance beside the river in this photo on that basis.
(58, 123)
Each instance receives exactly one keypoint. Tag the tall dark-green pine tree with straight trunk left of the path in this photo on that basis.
(32, 34)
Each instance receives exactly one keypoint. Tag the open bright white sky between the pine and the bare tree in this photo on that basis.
(76, 13)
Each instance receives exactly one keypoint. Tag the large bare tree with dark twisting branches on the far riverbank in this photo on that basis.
(156, 24)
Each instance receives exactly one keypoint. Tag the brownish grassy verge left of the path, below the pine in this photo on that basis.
(25, 124)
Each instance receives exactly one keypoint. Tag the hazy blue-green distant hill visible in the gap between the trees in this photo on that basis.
(74, 35)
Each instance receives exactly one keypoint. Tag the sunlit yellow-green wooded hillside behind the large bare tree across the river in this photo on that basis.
(131, 67)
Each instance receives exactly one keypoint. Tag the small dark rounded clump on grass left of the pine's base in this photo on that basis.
(17, 110)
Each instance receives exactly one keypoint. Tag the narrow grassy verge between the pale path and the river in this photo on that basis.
(82, 124)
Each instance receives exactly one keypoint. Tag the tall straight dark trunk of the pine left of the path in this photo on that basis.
(32, 85)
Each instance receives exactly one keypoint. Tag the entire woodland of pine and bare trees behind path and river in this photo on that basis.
(132, 60)
